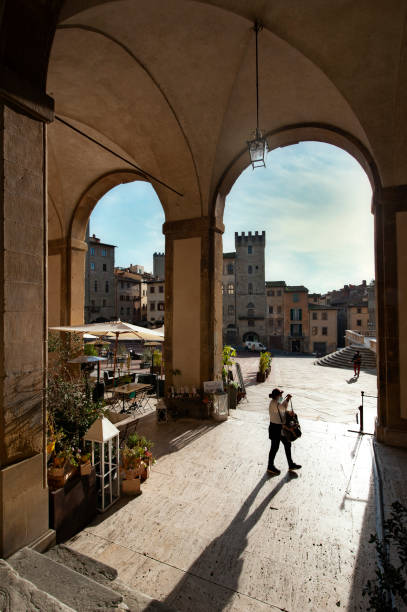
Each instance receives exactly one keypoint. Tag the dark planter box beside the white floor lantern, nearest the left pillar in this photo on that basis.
(73, 506)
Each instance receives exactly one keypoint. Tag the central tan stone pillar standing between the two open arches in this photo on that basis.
(193, 300)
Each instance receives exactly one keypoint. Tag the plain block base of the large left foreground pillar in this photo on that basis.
(23, 505)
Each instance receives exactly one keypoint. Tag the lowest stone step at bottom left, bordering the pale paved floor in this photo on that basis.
(106, 575)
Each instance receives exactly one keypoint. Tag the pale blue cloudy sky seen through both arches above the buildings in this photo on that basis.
(313, 201)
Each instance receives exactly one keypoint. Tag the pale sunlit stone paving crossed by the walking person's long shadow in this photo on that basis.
(212, 531)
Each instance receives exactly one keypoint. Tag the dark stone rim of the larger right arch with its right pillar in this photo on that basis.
(391, 425)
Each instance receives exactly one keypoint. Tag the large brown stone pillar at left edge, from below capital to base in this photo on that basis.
(23, 328)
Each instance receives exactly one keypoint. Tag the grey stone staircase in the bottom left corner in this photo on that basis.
(62, 580)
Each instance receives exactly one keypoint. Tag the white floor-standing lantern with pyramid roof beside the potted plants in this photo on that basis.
(104, 437)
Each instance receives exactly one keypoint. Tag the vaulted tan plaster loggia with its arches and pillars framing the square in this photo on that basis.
(174, 91)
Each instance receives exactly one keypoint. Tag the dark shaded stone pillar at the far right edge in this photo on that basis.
(390, 208)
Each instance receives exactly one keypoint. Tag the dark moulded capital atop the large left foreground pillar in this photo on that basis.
(22, 96)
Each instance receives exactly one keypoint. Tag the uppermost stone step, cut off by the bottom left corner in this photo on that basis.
(18, 593)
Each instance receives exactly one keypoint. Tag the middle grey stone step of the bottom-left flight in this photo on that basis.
(67, 586)
